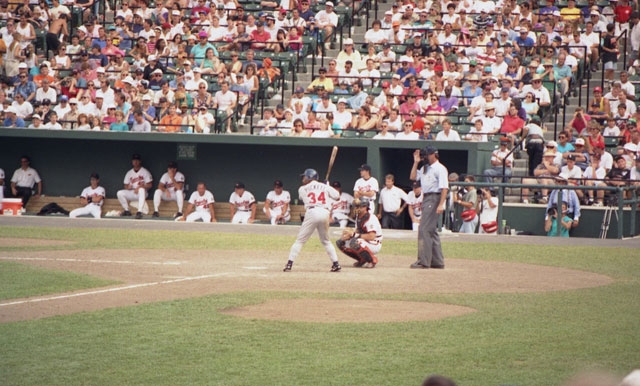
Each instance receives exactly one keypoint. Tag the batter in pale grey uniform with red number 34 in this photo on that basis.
(317, 202)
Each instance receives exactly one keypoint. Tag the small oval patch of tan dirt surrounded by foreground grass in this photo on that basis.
(347, 311)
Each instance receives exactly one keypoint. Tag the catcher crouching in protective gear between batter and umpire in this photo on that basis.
(365, 241)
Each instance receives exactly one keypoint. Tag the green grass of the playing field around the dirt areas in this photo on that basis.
(515, 339)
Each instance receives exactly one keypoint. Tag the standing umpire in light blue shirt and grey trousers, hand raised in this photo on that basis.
(434, 179)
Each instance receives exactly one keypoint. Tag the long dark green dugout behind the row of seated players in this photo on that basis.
(65, 159)
